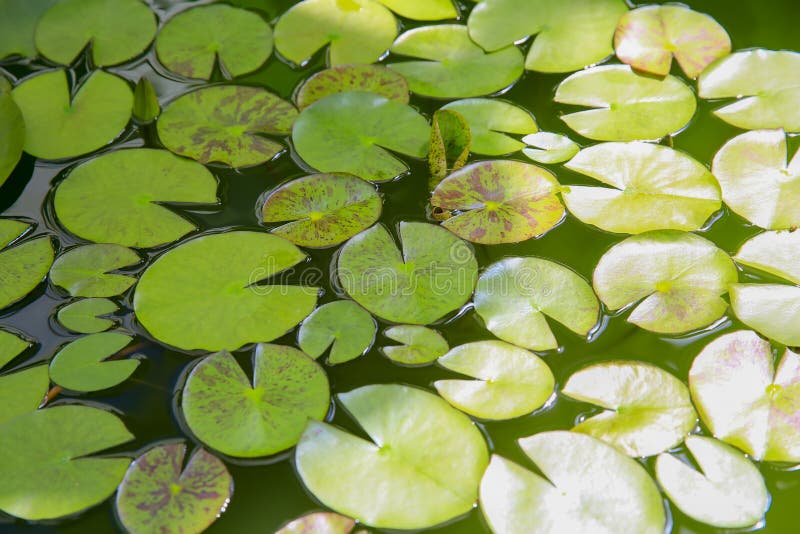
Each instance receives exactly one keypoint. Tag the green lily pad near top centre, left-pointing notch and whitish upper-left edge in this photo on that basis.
(451, 65)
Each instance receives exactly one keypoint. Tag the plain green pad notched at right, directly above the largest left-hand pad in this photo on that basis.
(120, 197)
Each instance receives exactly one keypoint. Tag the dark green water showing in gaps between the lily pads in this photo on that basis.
(268, 494)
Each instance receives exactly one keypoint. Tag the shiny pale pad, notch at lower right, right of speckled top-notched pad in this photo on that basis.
(515, 295)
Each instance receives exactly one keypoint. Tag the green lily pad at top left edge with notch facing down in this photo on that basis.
(117, 30)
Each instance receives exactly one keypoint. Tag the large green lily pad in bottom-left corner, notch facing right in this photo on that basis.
(46, 464)
